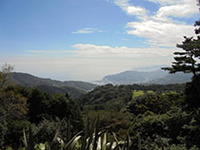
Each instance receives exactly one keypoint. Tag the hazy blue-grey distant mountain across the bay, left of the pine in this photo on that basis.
(148, 77)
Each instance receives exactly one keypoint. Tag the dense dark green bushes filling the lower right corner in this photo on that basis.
(160, 121)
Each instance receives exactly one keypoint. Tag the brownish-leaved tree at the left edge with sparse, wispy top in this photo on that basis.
(13, 110)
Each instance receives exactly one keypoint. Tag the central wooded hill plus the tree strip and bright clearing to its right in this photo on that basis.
(115, 98)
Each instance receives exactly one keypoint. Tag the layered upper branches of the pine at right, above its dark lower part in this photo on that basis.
(187, 61)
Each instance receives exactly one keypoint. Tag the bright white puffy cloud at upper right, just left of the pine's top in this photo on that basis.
(160, 33)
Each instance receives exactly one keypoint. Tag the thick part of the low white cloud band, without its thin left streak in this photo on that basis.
(90, 50)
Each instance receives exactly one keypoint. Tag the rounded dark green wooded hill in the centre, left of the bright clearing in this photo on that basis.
(108, 97)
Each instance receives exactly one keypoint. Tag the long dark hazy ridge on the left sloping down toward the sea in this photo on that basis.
(73, 88)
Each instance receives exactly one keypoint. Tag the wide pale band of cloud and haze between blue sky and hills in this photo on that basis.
(88, 62)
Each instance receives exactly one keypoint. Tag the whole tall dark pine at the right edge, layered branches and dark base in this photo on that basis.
(188, 61)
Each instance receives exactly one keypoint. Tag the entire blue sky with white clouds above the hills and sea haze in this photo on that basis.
(88, 39)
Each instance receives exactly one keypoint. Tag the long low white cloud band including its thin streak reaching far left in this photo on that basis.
(101, 51)
